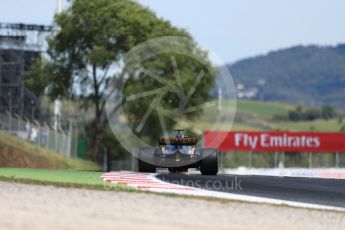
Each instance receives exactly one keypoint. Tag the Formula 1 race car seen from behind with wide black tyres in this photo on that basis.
(178, 154)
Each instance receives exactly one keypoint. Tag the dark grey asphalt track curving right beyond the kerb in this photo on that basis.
(329, 192)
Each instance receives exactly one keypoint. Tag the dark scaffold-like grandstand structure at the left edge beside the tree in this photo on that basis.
(20, 45)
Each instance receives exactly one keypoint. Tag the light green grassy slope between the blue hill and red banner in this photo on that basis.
(260, 115)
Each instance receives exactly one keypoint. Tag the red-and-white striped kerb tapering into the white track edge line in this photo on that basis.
(149, 182)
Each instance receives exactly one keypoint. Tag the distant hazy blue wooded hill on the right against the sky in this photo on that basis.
(309, 75)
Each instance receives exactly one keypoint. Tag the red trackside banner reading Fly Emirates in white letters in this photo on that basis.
(275, 141)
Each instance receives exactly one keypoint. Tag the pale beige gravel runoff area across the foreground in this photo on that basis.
(46, 207)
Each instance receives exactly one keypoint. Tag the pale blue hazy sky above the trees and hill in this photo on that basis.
(232, 29)
